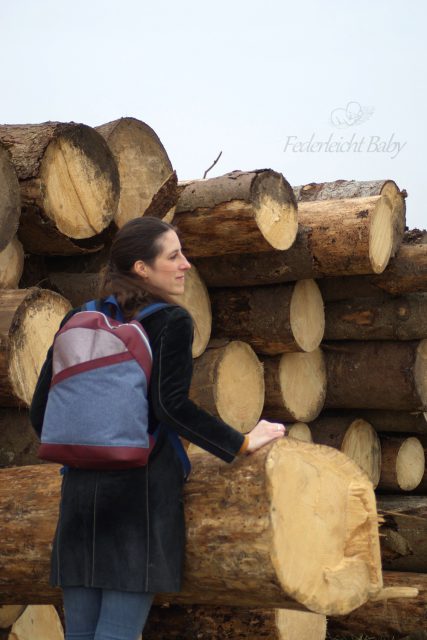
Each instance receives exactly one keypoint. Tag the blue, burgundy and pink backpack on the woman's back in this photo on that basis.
(97, 409)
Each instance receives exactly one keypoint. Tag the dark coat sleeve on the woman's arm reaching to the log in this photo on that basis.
(170, 384)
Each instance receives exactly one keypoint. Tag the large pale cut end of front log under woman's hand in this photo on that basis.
(353, 572)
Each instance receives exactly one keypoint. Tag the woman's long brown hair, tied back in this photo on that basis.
(138, 239)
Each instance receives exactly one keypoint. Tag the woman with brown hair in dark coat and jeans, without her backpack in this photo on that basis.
(120, 534)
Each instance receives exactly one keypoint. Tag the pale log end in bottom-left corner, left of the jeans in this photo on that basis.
(38, 622)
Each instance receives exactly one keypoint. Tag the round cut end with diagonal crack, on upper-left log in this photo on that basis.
(80, 182)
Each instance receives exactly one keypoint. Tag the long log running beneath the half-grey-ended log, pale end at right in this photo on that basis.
(325, 233)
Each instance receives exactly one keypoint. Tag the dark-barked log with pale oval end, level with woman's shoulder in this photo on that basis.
(273, 320)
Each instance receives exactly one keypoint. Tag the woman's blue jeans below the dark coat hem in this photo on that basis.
(104, 614)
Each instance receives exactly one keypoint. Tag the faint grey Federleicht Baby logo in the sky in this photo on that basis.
(351, 140)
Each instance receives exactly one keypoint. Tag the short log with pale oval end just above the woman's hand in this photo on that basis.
(229, 383)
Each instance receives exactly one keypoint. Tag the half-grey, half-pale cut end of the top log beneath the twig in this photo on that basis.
(275, 212)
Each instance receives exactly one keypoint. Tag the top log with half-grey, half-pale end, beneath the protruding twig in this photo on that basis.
(252, 211)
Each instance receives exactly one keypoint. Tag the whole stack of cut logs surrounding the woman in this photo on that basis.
(309, 308)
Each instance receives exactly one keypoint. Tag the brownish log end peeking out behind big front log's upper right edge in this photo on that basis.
(362, 444)
